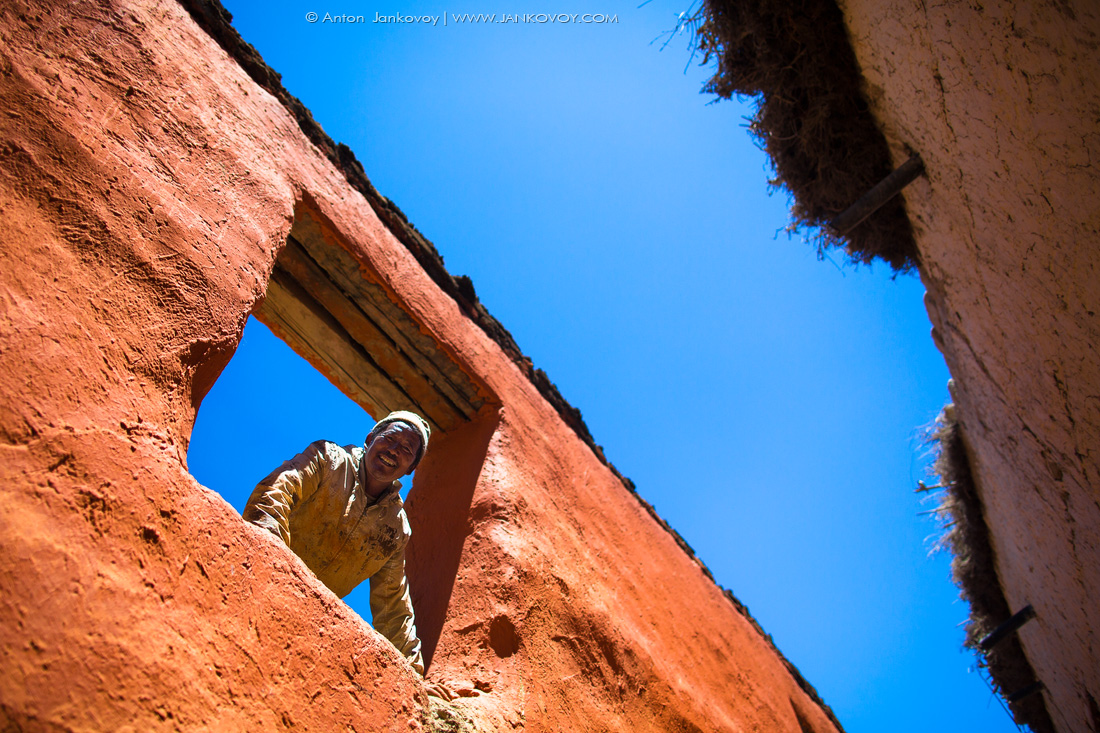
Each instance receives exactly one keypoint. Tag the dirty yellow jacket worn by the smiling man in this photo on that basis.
(316, 504)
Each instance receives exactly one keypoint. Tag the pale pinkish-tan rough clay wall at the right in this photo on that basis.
(1003, 102)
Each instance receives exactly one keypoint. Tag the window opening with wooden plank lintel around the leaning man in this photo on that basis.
(329, 349)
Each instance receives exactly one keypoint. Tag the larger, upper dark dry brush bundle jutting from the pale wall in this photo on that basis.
(812, 119)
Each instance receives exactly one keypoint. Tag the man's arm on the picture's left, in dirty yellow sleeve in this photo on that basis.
(274, 498)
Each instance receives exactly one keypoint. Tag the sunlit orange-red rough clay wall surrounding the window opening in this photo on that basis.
(147, 185)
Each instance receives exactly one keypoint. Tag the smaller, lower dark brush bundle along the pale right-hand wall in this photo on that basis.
(974, 570)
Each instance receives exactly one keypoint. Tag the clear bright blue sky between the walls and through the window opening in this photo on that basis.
(621, 227)
